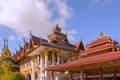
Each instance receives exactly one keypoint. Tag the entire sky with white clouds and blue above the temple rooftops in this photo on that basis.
(80, 18)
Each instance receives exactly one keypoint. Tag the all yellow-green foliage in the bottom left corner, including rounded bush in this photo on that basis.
(7, 74)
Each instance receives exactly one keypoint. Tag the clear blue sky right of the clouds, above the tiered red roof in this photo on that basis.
(91, 18)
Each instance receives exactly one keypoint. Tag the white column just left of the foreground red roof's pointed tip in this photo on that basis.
(41, 65)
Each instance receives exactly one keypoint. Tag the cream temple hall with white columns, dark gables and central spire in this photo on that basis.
(39, 54)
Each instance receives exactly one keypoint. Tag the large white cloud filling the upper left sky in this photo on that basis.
(35, 15)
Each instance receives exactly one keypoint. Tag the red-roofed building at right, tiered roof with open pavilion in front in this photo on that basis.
(100, 60)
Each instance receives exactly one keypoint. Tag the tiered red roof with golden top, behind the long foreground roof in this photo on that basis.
(102, 44)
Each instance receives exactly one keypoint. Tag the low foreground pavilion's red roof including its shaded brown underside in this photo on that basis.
(92, 63)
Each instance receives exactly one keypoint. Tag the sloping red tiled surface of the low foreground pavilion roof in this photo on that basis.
(85, 61)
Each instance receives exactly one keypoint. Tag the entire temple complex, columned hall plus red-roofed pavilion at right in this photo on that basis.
(58, 59)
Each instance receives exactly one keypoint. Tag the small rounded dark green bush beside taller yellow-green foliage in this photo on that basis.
(17, 76)
